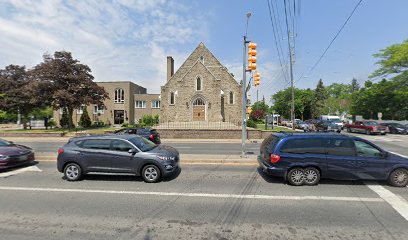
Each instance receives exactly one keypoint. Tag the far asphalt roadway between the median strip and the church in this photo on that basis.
(391, 142)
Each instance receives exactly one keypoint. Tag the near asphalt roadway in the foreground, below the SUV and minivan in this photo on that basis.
(202, 202)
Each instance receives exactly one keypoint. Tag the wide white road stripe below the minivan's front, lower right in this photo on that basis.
(398, 203)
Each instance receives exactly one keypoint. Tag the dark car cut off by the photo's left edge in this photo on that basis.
(13, 155)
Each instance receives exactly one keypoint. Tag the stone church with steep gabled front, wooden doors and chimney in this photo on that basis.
(201, 90)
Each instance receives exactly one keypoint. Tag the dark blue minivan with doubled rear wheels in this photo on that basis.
(304, 158)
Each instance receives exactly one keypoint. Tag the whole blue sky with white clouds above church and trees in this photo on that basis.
(130, 39)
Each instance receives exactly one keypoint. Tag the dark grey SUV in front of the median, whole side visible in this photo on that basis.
(130, 154)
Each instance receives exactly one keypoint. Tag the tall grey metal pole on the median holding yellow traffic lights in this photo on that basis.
(244, 101)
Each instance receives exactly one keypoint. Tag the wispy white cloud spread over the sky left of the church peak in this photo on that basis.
(119, 40)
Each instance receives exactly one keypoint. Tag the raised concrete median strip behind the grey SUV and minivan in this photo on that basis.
(184, 158)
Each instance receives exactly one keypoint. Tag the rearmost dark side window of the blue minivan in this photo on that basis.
(303, 145)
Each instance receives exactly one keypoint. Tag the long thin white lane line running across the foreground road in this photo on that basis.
(208, 195)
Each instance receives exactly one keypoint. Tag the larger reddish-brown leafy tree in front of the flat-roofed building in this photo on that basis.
(63, 82)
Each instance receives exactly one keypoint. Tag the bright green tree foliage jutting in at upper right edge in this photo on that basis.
(393, 60)
